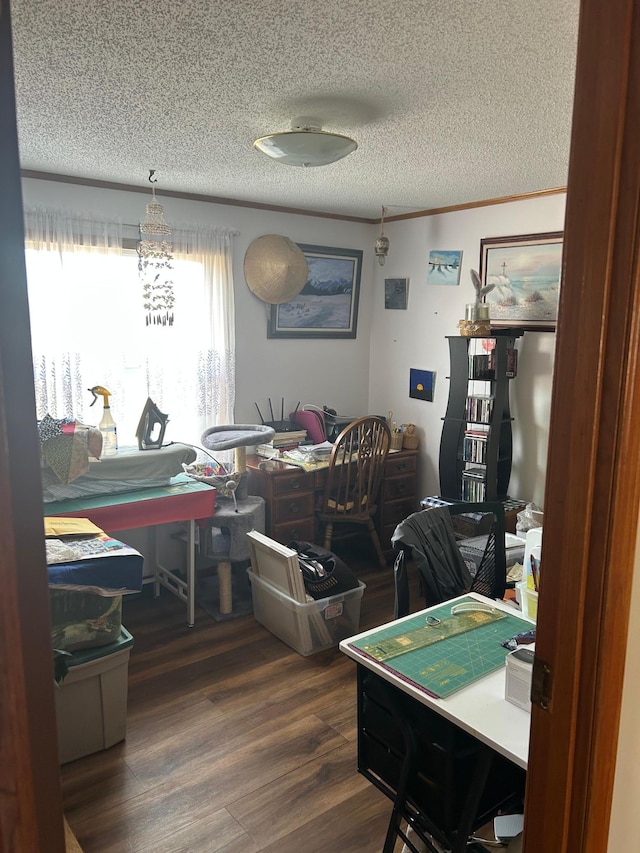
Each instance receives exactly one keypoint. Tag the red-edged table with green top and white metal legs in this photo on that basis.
(184, 499)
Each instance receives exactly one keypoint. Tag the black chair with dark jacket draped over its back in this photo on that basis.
(428, 538)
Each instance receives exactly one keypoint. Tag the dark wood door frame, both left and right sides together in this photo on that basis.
(592, 491)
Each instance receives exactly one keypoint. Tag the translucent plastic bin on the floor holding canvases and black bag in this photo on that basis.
(311, 626)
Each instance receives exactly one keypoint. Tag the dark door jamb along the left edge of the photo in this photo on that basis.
(30, 797)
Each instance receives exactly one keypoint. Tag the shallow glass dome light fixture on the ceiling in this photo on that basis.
(305, 145)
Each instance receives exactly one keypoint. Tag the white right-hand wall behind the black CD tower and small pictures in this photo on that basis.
(415, 338)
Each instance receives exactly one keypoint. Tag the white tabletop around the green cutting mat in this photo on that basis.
(479, 709)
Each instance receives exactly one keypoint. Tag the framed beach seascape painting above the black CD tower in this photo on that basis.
(524, 275)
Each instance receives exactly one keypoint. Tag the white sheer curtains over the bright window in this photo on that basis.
(88, 326)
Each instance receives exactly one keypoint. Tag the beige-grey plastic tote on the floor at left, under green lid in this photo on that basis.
(91, 702)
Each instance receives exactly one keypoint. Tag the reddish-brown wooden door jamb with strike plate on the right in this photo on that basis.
(592, 489)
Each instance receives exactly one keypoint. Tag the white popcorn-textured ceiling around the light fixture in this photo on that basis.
(450, 101)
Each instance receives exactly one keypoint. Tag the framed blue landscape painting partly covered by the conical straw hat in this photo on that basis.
(327, 306)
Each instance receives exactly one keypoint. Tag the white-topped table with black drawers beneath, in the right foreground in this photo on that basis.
(471, 749)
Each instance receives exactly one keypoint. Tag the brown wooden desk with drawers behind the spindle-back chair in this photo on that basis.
(291, 495)
